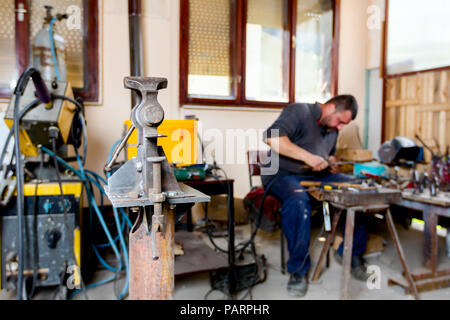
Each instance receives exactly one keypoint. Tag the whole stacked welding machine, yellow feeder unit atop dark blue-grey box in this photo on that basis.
(41, 222)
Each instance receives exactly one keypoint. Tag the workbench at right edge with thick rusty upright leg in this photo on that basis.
(432, 208)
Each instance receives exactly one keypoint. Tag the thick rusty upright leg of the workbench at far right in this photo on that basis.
(430, 246)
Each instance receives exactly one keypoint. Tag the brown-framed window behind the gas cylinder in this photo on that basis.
(21, 20)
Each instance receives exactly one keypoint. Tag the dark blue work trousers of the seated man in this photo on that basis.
(296, 218)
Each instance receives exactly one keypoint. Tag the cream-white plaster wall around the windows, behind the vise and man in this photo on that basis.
(161, 50)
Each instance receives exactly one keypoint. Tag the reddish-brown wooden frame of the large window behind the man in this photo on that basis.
(238, 51)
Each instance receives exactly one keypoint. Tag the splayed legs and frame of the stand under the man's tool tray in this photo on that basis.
(348, 244)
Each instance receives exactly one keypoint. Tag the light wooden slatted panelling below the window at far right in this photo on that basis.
(419, 104)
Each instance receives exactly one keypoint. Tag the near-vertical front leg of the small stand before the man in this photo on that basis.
(347, 258)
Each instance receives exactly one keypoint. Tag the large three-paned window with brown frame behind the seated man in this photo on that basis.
(258, 52)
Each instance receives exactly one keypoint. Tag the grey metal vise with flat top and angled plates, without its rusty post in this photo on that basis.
(134, 183)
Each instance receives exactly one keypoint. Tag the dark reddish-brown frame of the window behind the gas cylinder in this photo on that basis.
(90, 91)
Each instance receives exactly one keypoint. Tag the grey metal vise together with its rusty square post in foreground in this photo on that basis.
(146, 185)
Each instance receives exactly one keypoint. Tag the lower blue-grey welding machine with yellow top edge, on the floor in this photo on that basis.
(52, 242)
